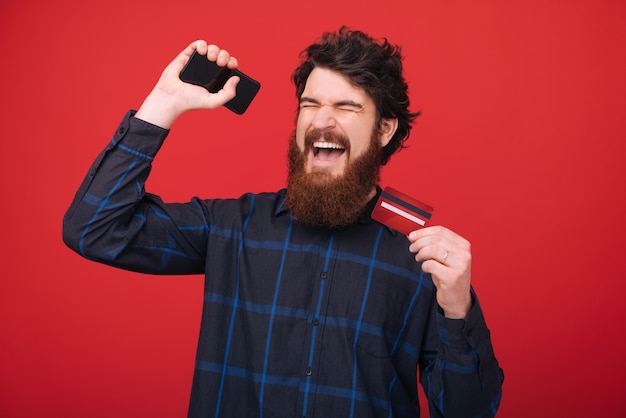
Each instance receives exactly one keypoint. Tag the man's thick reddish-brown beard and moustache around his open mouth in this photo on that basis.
(320, 199)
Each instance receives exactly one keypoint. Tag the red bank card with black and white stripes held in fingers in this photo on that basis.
(401, 212)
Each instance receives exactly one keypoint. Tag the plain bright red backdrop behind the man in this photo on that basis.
(521, 148)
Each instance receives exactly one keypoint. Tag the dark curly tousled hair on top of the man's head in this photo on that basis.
(373, 65)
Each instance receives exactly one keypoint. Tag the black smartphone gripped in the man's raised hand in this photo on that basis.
(202, 72)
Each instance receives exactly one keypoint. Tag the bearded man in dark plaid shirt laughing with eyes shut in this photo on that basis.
(311, 308)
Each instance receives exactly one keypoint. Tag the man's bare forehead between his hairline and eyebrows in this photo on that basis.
(330, 86)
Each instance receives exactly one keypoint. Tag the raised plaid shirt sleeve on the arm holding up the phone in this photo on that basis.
(114, 221)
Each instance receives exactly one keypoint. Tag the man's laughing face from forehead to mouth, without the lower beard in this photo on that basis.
(335, 122)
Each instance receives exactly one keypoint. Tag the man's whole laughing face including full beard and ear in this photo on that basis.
(335, 152)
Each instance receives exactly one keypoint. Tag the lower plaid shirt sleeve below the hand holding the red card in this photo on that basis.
(463, 378)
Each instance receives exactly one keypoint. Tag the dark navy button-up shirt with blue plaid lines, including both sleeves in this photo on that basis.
(297, 322)
